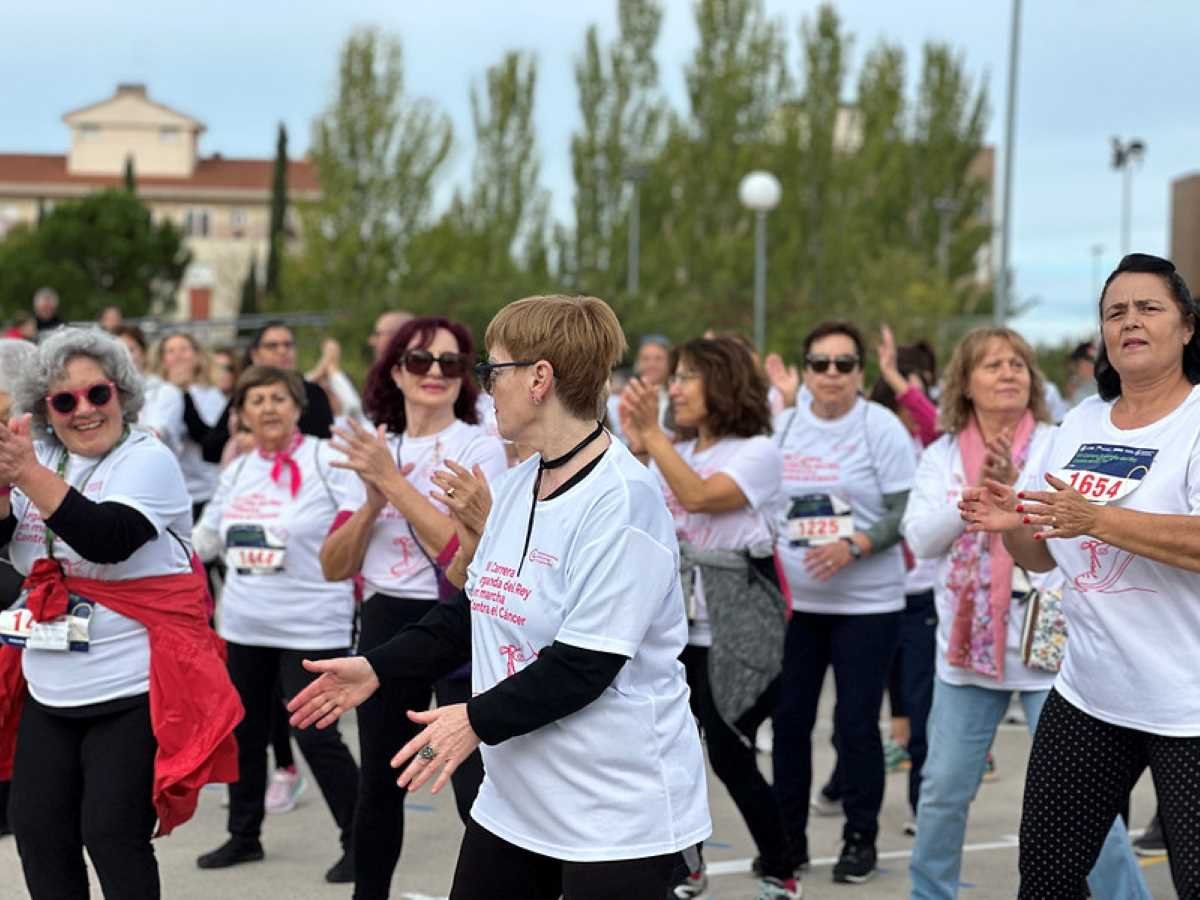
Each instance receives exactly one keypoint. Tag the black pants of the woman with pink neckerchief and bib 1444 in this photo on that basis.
(255, 673)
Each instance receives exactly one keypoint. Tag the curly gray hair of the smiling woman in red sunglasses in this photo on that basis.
(56, 352)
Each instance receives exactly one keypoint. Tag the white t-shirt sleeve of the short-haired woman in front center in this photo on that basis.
(621, 579)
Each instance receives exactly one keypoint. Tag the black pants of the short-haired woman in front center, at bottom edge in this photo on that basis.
(491, 868)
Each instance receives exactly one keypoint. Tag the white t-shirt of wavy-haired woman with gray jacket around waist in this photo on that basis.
(754, 465)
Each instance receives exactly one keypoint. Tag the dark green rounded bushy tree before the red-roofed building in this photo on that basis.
(100, 251)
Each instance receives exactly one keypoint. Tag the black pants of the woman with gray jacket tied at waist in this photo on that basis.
(733, 758)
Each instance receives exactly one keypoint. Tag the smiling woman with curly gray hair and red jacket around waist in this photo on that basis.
(129, 709)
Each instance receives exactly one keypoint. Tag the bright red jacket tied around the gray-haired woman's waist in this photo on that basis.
(194, 706)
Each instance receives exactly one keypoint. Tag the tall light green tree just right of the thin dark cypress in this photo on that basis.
(377, 154)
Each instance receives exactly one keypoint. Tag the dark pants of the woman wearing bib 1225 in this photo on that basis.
(860, 649)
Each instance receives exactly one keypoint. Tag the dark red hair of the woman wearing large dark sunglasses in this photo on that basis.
(385, 403)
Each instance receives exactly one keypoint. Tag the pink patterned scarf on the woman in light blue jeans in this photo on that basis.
(981, 577)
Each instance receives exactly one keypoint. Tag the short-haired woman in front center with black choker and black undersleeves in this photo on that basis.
(573, 619)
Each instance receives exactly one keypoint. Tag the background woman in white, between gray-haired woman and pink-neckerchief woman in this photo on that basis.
(183, 363)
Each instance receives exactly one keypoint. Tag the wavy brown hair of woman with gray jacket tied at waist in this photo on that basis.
(735, 388)
